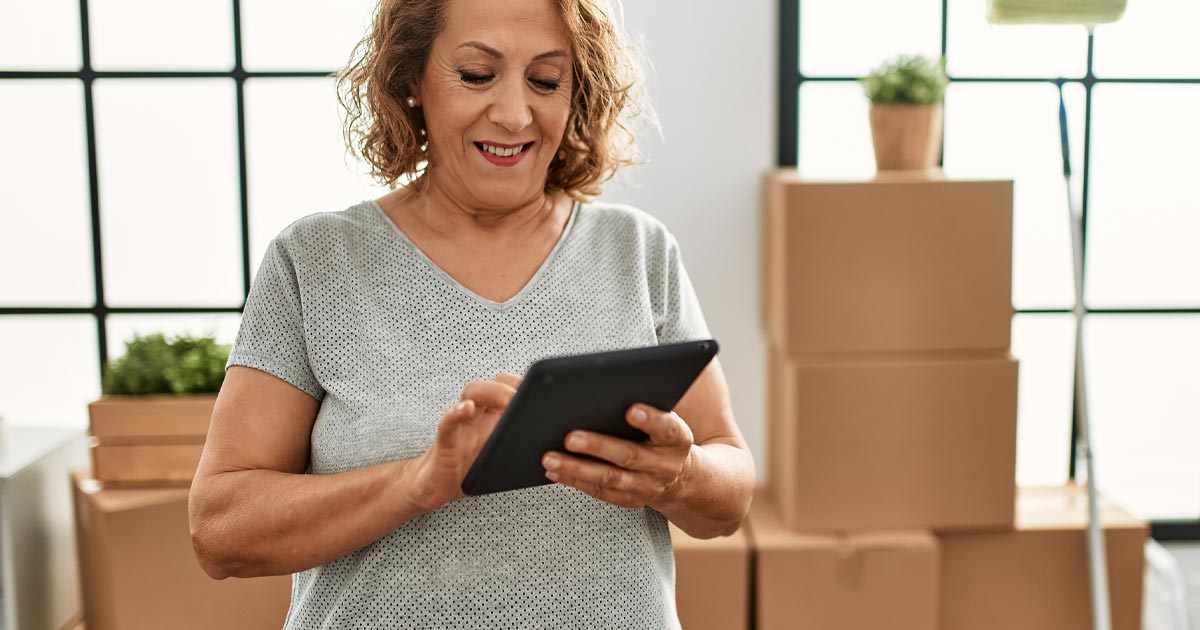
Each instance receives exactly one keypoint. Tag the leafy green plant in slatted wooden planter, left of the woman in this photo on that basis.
(153, 419)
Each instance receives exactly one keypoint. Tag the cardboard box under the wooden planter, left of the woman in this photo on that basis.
(139, 569)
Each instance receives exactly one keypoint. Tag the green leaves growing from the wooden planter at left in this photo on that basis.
(154, 365)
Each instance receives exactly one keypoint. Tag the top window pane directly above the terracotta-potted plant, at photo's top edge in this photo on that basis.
(837, 41)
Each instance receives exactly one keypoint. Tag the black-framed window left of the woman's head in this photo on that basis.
(149, 152)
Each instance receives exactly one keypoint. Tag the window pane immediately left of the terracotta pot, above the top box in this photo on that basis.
(836, 131)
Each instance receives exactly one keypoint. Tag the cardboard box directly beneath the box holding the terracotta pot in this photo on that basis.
(893, 445)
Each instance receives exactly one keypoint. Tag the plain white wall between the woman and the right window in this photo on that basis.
(713, 86)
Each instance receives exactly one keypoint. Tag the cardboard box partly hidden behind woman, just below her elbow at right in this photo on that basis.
(712, 581)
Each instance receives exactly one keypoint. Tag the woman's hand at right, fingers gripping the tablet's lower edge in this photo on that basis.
(633, 475)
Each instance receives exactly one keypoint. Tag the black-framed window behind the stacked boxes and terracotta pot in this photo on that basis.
(1132, 93)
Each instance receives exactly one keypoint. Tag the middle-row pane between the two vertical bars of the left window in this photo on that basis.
(169, 183)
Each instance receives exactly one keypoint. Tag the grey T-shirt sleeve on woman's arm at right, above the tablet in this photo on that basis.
(677, 315)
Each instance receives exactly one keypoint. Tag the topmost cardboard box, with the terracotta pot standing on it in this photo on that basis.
(901, 263)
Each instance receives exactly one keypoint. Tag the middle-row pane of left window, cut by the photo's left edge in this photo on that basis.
(44, 185)
